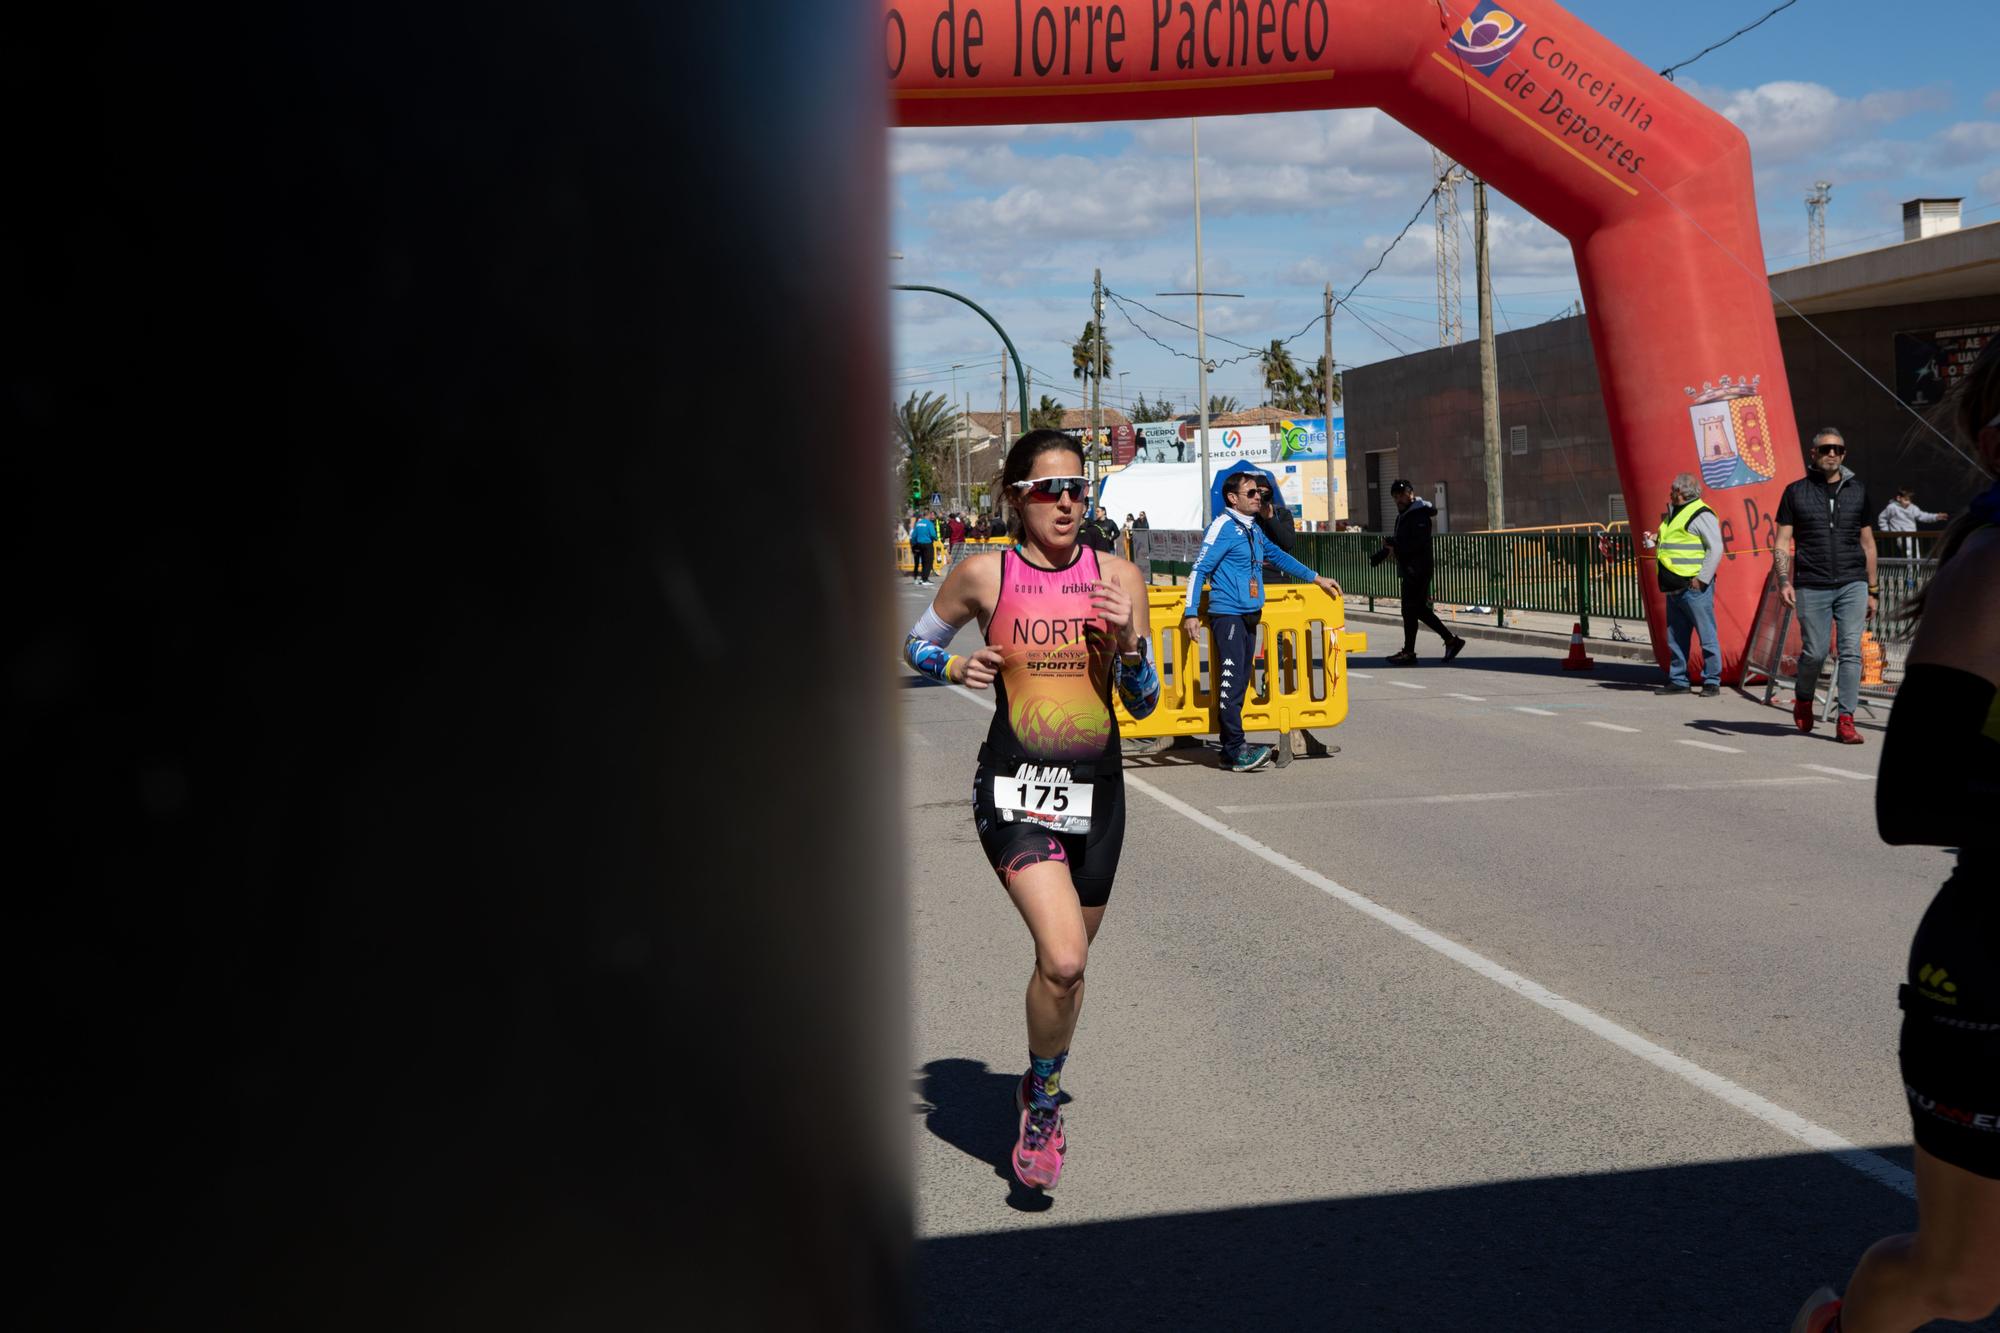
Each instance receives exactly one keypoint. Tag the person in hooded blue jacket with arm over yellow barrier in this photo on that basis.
(1233, 565)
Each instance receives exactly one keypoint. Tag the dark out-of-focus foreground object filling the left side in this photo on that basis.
(421, 908)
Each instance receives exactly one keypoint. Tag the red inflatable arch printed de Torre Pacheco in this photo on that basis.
(1651, 189)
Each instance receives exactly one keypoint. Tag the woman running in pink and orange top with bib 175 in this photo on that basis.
(1061, 625)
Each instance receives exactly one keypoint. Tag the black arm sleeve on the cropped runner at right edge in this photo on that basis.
(1941, 772)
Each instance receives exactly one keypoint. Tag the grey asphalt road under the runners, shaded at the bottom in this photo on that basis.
(1547, 1004)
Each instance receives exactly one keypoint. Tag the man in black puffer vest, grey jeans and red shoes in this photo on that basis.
(1827, 571)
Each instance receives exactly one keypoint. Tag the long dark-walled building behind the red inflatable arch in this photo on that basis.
(1911, 315)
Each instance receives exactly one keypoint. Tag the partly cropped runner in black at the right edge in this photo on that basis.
(1941, 788)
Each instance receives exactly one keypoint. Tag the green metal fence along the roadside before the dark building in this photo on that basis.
(1569, 573)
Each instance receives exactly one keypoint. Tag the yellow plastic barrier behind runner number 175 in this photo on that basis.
(1285, 696)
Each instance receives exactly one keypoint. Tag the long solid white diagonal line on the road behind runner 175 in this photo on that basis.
(1723, 1090)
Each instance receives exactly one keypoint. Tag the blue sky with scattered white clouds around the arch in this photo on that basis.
(1889, 103)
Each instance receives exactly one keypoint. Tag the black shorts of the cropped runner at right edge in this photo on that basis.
(1951, 1024)
